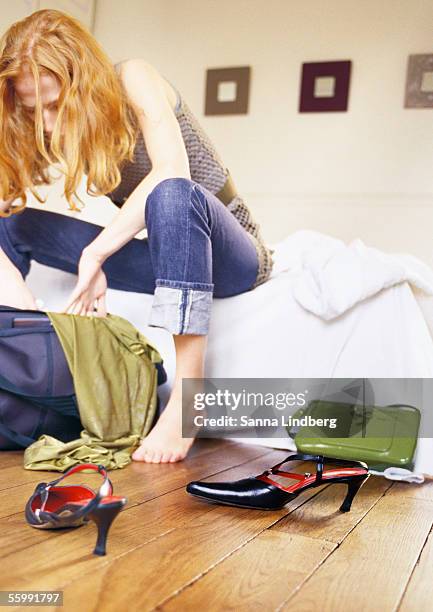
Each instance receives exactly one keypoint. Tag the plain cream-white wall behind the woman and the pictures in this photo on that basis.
(363, 173)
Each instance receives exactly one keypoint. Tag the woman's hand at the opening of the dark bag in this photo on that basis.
(88, 297)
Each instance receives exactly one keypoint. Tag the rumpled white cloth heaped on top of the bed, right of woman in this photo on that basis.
(331, 276)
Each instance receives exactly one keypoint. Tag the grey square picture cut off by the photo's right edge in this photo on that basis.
(419, 81)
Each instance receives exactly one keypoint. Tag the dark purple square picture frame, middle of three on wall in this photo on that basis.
(325, 86)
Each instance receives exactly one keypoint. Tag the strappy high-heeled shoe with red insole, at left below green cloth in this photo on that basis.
(52, 507)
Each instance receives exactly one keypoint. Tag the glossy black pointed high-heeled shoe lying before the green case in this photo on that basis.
(265, 493)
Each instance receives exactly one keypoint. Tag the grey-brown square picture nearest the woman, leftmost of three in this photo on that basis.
(227, 91)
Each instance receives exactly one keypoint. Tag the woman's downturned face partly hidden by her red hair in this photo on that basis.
(50, 89)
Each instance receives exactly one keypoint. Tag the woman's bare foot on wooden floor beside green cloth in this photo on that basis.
(164, 443)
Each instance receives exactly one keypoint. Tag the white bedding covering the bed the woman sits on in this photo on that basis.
(329, 310)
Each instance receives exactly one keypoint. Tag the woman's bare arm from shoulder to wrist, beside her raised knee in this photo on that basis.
(165, 147)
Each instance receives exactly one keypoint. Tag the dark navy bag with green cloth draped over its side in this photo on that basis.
(37, 393)
